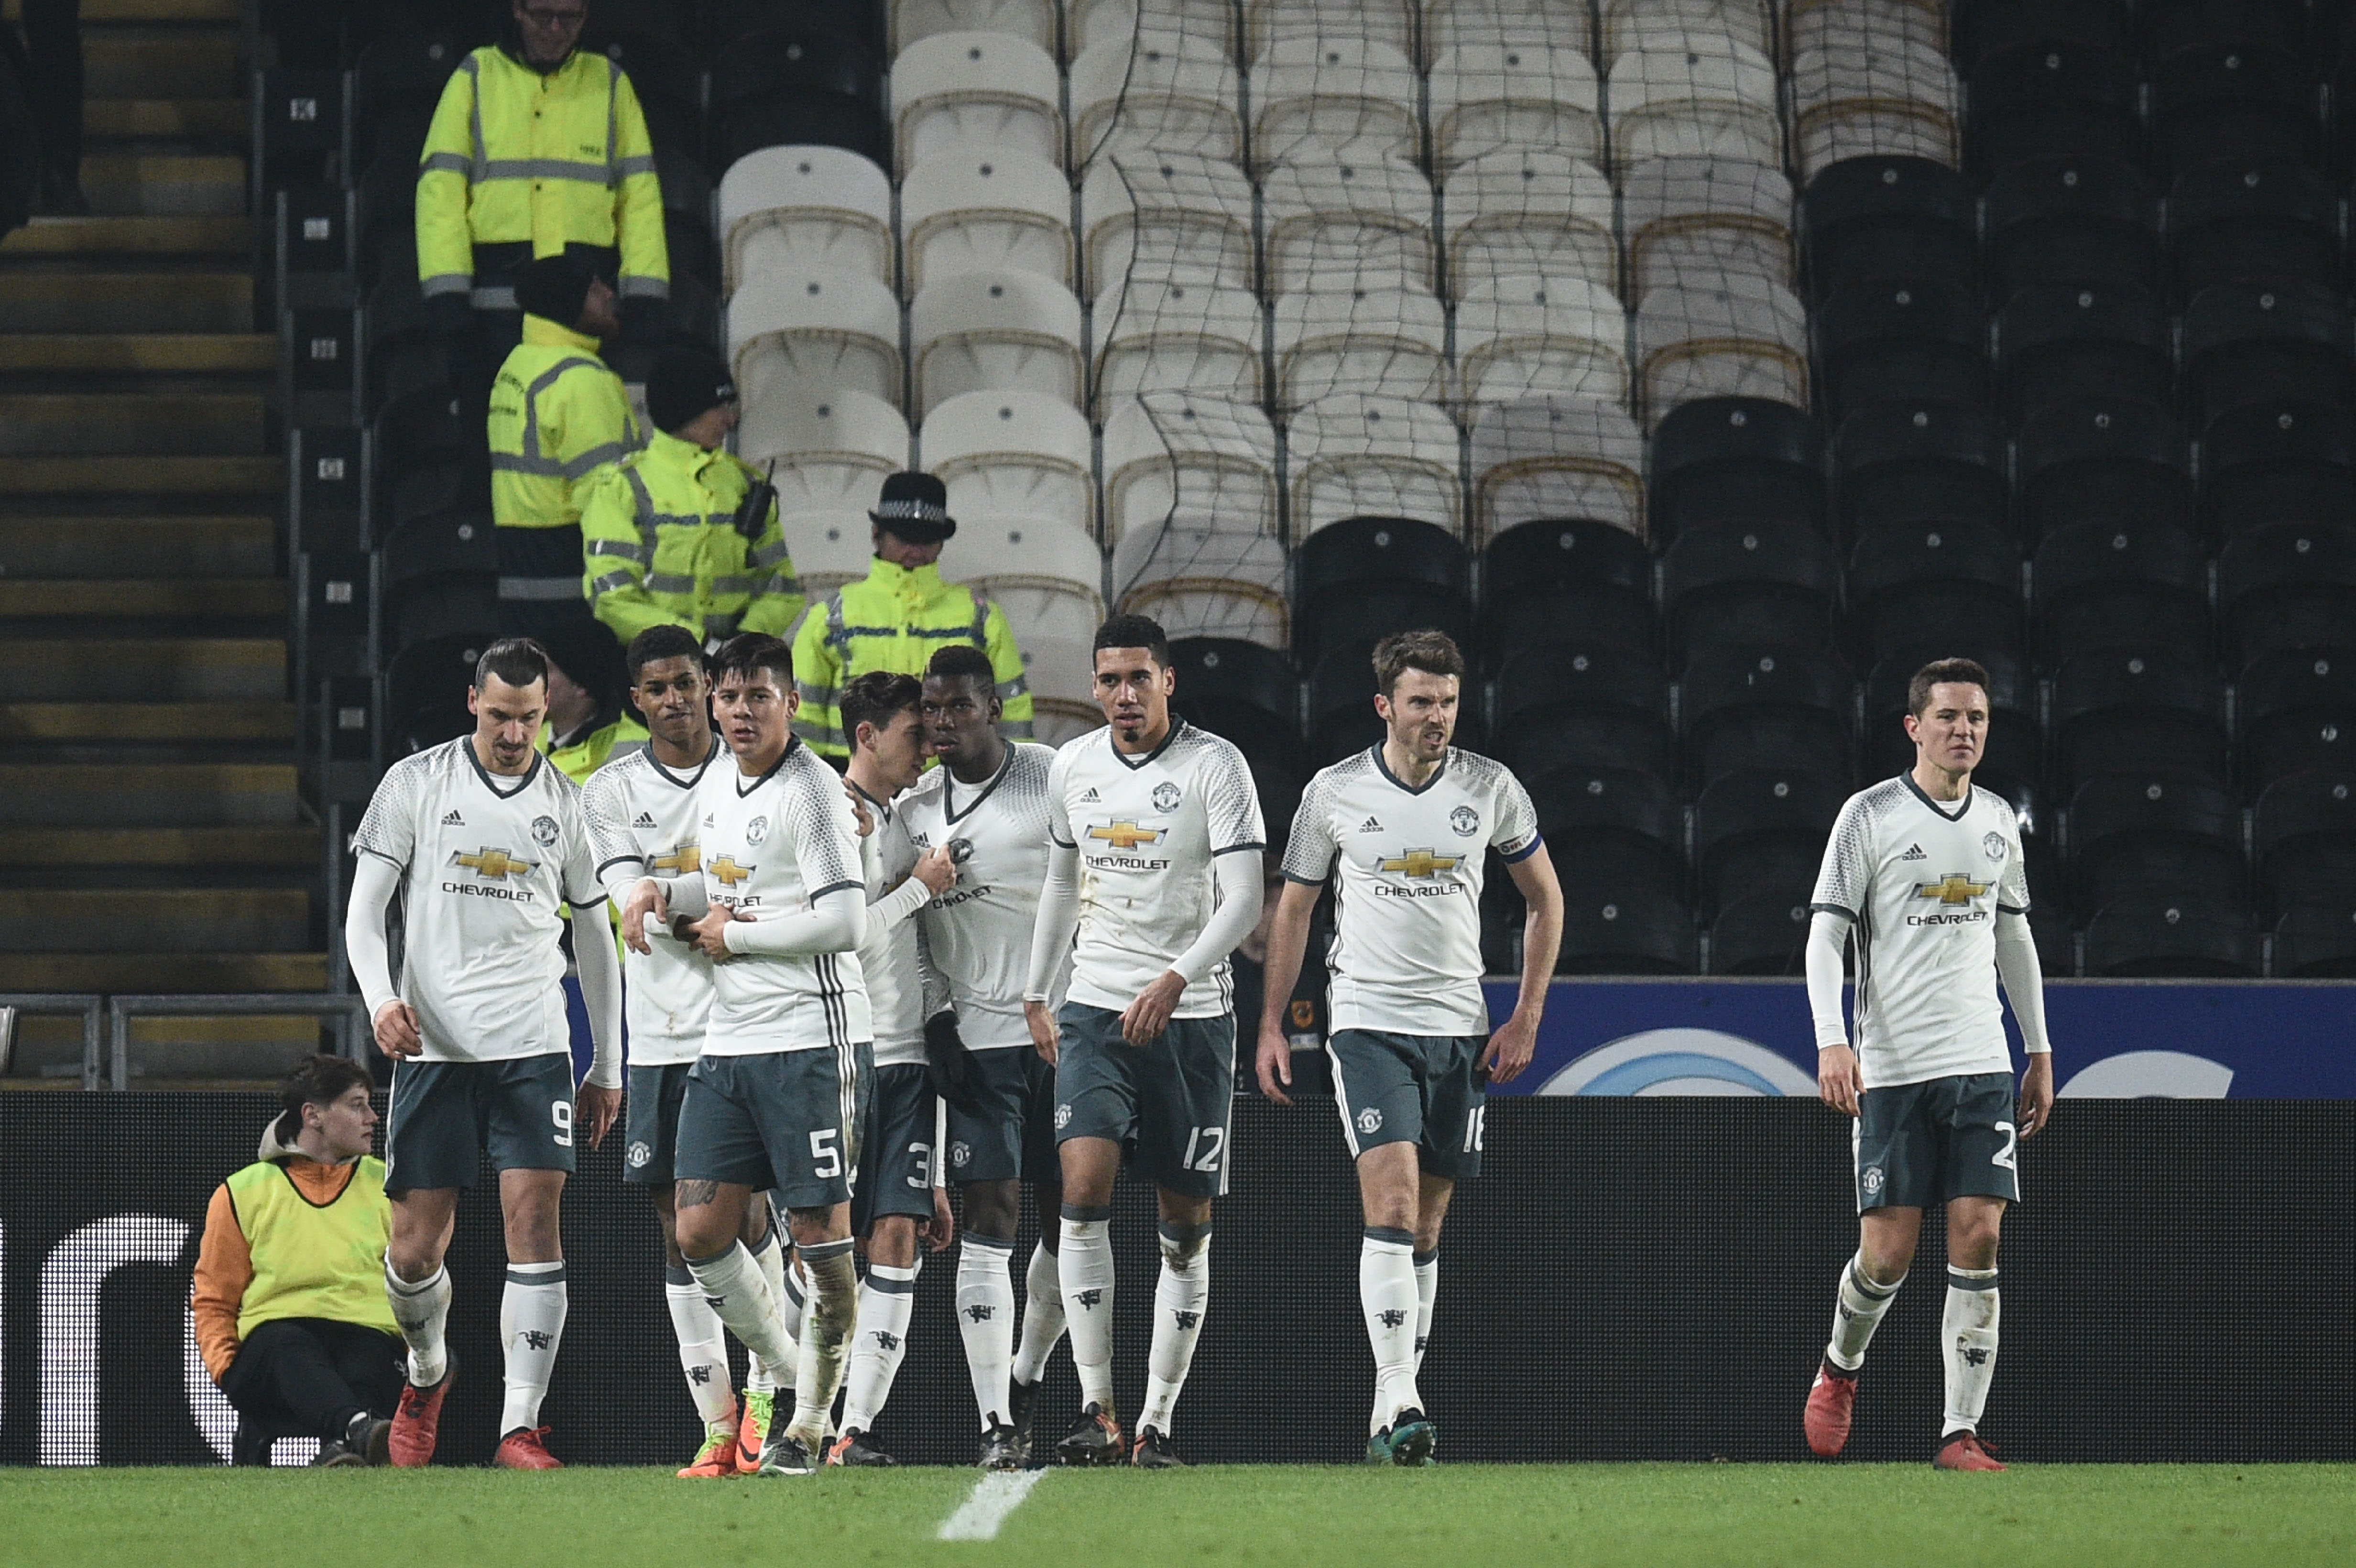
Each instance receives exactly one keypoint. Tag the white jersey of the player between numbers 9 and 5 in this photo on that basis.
(644, 820)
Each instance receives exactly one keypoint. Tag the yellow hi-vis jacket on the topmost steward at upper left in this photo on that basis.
(557, 159)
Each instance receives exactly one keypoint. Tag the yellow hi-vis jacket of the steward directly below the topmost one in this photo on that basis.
(557, 413)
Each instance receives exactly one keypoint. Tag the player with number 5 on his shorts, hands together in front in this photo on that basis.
(779, 908)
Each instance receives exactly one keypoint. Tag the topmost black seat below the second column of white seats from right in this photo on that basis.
(1735, 460)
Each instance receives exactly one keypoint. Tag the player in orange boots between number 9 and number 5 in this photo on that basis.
(644, 820)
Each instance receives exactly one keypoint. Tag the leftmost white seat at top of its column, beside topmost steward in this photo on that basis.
(807, 208)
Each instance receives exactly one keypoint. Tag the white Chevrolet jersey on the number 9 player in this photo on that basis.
(487, 863)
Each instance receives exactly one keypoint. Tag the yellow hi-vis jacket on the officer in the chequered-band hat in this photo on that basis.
(894, 620)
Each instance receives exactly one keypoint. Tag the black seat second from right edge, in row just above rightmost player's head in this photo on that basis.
(2110, 583)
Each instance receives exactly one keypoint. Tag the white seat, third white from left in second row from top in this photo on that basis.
(1325, 93)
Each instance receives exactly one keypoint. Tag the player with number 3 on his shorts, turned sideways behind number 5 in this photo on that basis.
(899, 1200)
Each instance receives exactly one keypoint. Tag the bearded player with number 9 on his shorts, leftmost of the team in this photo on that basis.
(484, 839)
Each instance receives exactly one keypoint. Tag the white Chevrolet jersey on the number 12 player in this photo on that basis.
(1149, 830)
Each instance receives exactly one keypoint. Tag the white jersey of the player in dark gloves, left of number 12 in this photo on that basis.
(979, 931)
